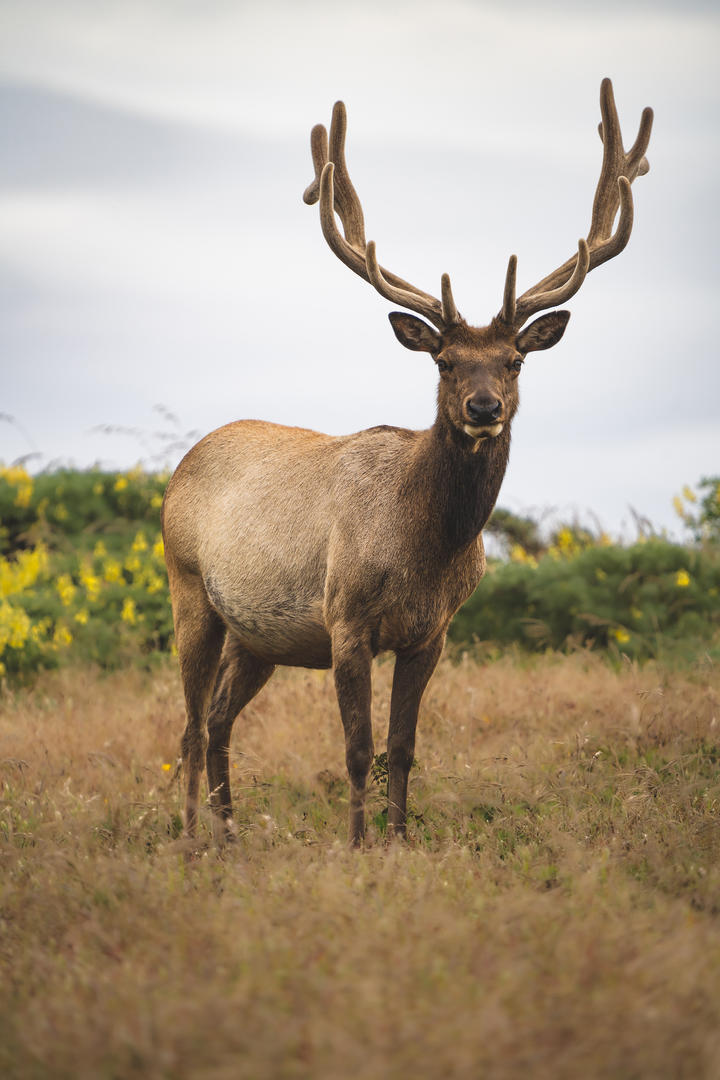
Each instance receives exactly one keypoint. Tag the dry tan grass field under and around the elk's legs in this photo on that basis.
(555, 914)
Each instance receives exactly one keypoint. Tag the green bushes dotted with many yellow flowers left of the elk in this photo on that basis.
(85, 578)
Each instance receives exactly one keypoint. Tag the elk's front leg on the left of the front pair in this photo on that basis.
(351, 667)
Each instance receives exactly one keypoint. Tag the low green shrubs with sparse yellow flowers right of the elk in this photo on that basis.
(634, 599)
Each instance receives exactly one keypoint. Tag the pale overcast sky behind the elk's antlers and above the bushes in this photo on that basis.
(155, 249)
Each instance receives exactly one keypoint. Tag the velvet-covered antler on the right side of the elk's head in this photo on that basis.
(614, 192)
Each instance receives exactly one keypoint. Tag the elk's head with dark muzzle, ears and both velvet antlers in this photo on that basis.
(480, 367)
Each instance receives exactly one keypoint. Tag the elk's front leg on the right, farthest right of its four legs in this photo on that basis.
(413, 671)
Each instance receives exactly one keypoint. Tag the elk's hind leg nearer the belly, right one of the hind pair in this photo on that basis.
(240, 678)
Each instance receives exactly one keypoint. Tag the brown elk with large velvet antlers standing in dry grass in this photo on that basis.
(289, 547)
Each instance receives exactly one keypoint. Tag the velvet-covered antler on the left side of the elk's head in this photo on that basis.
(334, 190)
